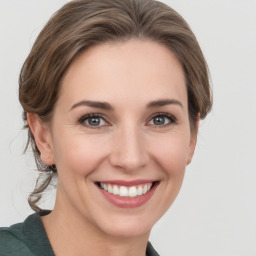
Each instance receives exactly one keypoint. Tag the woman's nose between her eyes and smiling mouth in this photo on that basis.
(129, 149)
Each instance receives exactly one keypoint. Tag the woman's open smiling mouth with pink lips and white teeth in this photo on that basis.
(127, 194)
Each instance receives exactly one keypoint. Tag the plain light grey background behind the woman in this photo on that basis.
(215, 212)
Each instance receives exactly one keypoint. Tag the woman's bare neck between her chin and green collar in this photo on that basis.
(72, 234)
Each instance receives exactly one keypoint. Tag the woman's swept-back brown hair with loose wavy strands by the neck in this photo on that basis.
(82, 23)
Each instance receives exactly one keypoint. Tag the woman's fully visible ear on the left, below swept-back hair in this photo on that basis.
(42, 137)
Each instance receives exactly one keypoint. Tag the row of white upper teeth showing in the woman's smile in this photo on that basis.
(124, 191)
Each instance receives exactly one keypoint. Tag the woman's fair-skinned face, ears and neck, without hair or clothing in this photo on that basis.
(137, 133)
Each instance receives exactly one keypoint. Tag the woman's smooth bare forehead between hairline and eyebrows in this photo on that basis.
(135, 69)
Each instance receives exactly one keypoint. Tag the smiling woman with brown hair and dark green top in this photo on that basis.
(112, 93)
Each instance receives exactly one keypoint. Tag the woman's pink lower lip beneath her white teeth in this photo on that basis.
(129, 202)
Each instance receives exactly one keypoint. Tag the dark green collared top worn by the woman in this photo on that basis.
(29, 239)
